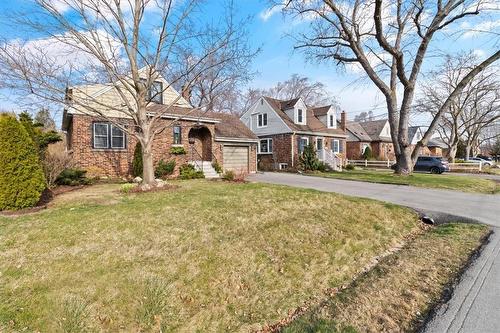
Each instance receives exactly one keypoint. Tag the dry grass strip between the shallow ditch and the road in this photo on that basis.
(400, 292)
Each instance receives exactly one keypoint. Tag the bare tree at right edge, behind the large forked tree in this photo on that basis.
(473, 110)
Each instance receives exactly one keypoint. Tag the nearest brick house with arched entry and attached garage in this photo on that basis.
(103, 149)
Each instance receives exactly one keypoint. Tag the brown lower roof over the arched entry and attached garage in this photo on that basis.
(229, 126)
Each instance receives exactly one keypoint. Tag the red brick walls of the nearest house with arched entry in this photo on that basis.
(118, 162)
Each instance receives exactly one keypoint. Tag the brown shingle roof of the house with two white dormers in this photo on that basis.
(313, 123)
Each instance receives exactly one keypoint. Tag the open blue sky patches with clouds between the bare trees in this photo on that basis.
(278, 61)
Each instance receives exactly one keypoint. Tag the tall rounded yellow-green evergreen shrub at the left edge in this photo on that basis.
(21, 175)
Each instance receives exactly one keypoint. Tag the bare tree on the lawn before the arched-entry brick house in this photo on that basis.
(124, 43)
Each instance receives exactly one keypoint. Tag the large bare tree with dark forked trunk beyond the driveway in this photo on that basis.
(388, 41)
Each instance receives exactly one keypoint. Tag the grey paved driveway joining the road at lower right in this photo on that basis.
(475, 304)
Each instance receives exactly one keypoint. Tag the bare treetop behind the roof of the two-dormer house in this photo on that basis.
(314, 93)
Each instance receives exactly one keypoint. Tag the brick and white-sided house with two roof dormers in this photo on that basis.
(284, 128)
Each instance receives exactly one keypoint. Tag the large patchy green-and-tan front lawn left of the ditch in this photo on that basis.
(208, 256)
